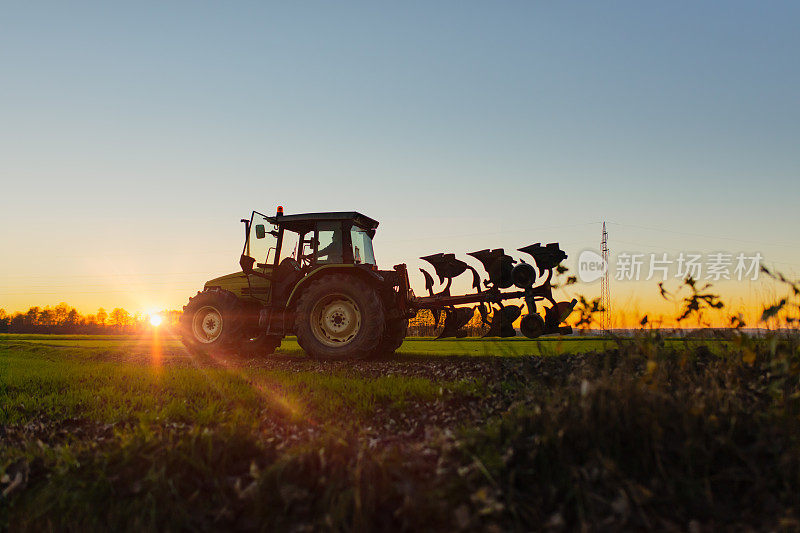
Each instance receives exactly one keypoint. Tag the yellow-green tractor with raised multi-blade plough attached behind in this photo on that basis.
(314, 276)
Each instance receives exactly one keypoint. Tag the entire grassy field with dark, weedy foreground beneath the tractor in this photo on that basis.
(134, 434)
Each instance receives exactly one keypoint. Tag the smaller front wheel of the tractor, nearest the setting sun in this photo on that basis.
(211, 323)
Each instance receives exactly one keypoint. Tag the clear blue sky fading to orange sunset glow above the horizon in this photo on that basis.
(134, 136)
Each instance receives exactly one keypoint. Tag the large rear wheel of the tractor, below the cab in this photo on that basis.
(339, 317)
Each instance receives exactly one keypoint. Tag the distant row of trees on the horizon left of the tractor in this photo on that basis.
(64, 318)
